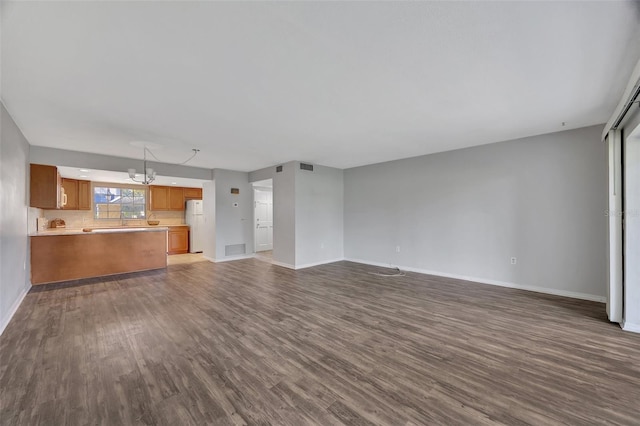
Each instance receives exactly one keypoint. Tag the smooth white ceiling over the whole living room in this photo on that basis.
(254, 84)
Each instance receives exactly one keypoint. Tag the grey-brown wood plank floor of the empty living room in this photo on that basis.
(247, 342)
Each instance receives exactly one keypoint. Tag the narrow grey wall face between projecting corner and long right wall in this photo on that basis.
(319, 216)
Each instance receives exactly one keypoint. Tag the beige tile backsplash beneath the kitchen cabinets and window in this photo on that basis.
(75, 219)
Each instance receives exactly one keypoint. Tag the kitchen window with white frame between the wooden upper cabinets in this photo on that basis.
(114, 202)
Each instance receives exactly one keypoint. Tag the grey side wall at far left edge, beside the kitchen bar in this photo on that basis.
(14, 262)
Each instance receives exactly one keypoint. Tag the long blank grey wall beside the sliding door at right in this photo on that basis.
(465, 213)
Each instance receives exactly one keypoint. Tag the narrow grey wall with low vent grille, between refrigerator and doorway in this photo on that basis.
(233, 225)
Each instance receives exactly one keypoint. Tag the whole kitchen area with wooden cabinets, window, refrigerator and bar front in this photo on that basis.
(91, 223)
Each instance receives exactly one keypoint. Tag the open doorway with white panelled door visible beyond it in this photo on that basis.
(263, 216)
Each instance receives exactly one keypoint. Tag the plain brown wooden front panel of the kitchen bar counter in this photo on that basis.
(69, 257)
